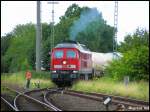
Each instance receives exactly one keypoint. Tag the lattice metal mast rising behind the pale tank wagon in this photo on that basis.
(115, 28)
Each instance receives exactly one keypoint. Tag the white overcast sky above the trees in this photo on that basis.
(131, 14)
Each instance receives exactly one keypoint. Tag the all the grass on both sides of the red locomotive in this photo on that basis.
(136, 90)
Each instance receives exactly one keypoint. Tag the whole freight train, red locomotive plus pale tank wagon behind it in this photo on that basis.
(71, 61)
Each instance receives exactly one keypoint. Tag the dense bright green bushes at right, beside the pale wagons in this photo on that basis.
(135, 60)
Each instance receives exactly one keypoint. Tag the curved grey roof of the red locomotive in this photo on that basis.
(80, 47)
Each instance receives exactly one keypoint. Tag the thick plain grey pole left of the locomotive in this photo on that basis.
(38, 38)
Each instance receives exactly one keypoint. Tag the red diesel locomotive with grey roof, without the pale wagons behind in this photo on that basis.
(70, 61)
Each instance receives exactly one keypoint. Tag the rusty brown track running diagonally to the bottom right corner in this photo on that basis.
(121, 102)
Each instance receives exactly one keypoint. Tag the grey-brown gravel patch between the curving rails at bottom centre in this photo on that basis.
(68, 102)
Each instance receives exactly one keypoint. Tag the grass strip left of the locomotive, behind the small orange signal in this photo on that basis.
(20, 80)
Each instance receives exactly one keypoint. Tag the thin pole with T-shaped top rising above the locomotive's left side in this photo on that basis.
(52, 31)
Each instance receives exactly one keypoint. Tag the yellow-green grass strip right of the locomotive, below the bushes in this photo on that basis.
(136, 90)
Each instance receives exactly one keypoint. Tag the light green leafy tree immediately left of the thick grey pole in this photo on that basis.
(20, 47)
